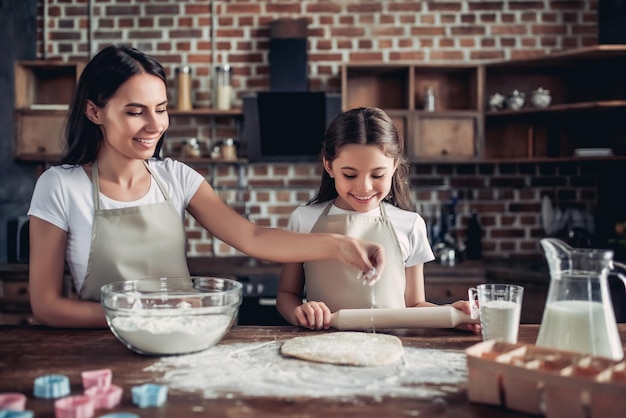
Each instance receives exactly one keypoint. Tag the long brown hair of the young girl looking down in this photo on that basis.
(365, 126)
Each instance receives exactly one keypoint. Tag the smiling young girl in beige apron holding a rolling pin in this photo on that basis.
(363, 193)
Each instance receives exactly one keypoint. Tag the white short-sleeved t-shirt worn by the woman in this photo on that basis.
(63, 196)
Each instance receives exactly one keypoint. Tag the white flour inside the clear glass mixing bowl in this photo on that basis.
(170, 334)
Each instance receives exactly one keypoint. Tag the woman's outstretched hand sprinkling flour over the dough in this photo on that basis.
(368, 258)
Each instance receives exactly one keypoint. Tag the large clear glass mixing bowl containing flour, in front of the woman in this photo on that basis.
(169, 316)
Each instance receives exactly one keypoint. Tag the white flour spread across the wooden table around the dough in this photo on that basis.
(258, 369)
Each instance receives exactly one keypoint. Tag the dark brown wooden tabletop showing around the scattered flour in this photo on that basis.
(27, 352)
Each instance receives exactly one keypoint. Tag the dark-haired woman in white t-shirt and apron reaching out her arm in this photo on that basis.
(113, 211)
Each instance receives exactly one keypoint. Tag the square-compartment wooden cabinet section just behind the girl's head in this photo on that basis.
(447, 132)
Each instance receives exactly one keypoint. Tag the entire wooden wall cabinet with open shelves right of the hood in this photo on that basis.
(588, 103)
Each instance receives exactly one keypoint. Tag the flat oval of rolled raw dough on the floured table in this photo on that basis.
(350, 348)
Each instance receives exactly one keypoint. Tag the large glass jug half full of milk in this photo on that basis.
(579, 315)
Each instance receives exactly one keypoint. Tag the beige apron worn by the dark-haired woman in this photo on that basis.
(134, 243)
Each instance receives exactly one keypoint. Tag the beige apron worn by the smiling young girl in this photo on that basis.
(336, 284)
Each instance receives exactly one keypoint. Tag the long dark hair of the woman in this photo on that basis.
(100, 79)
